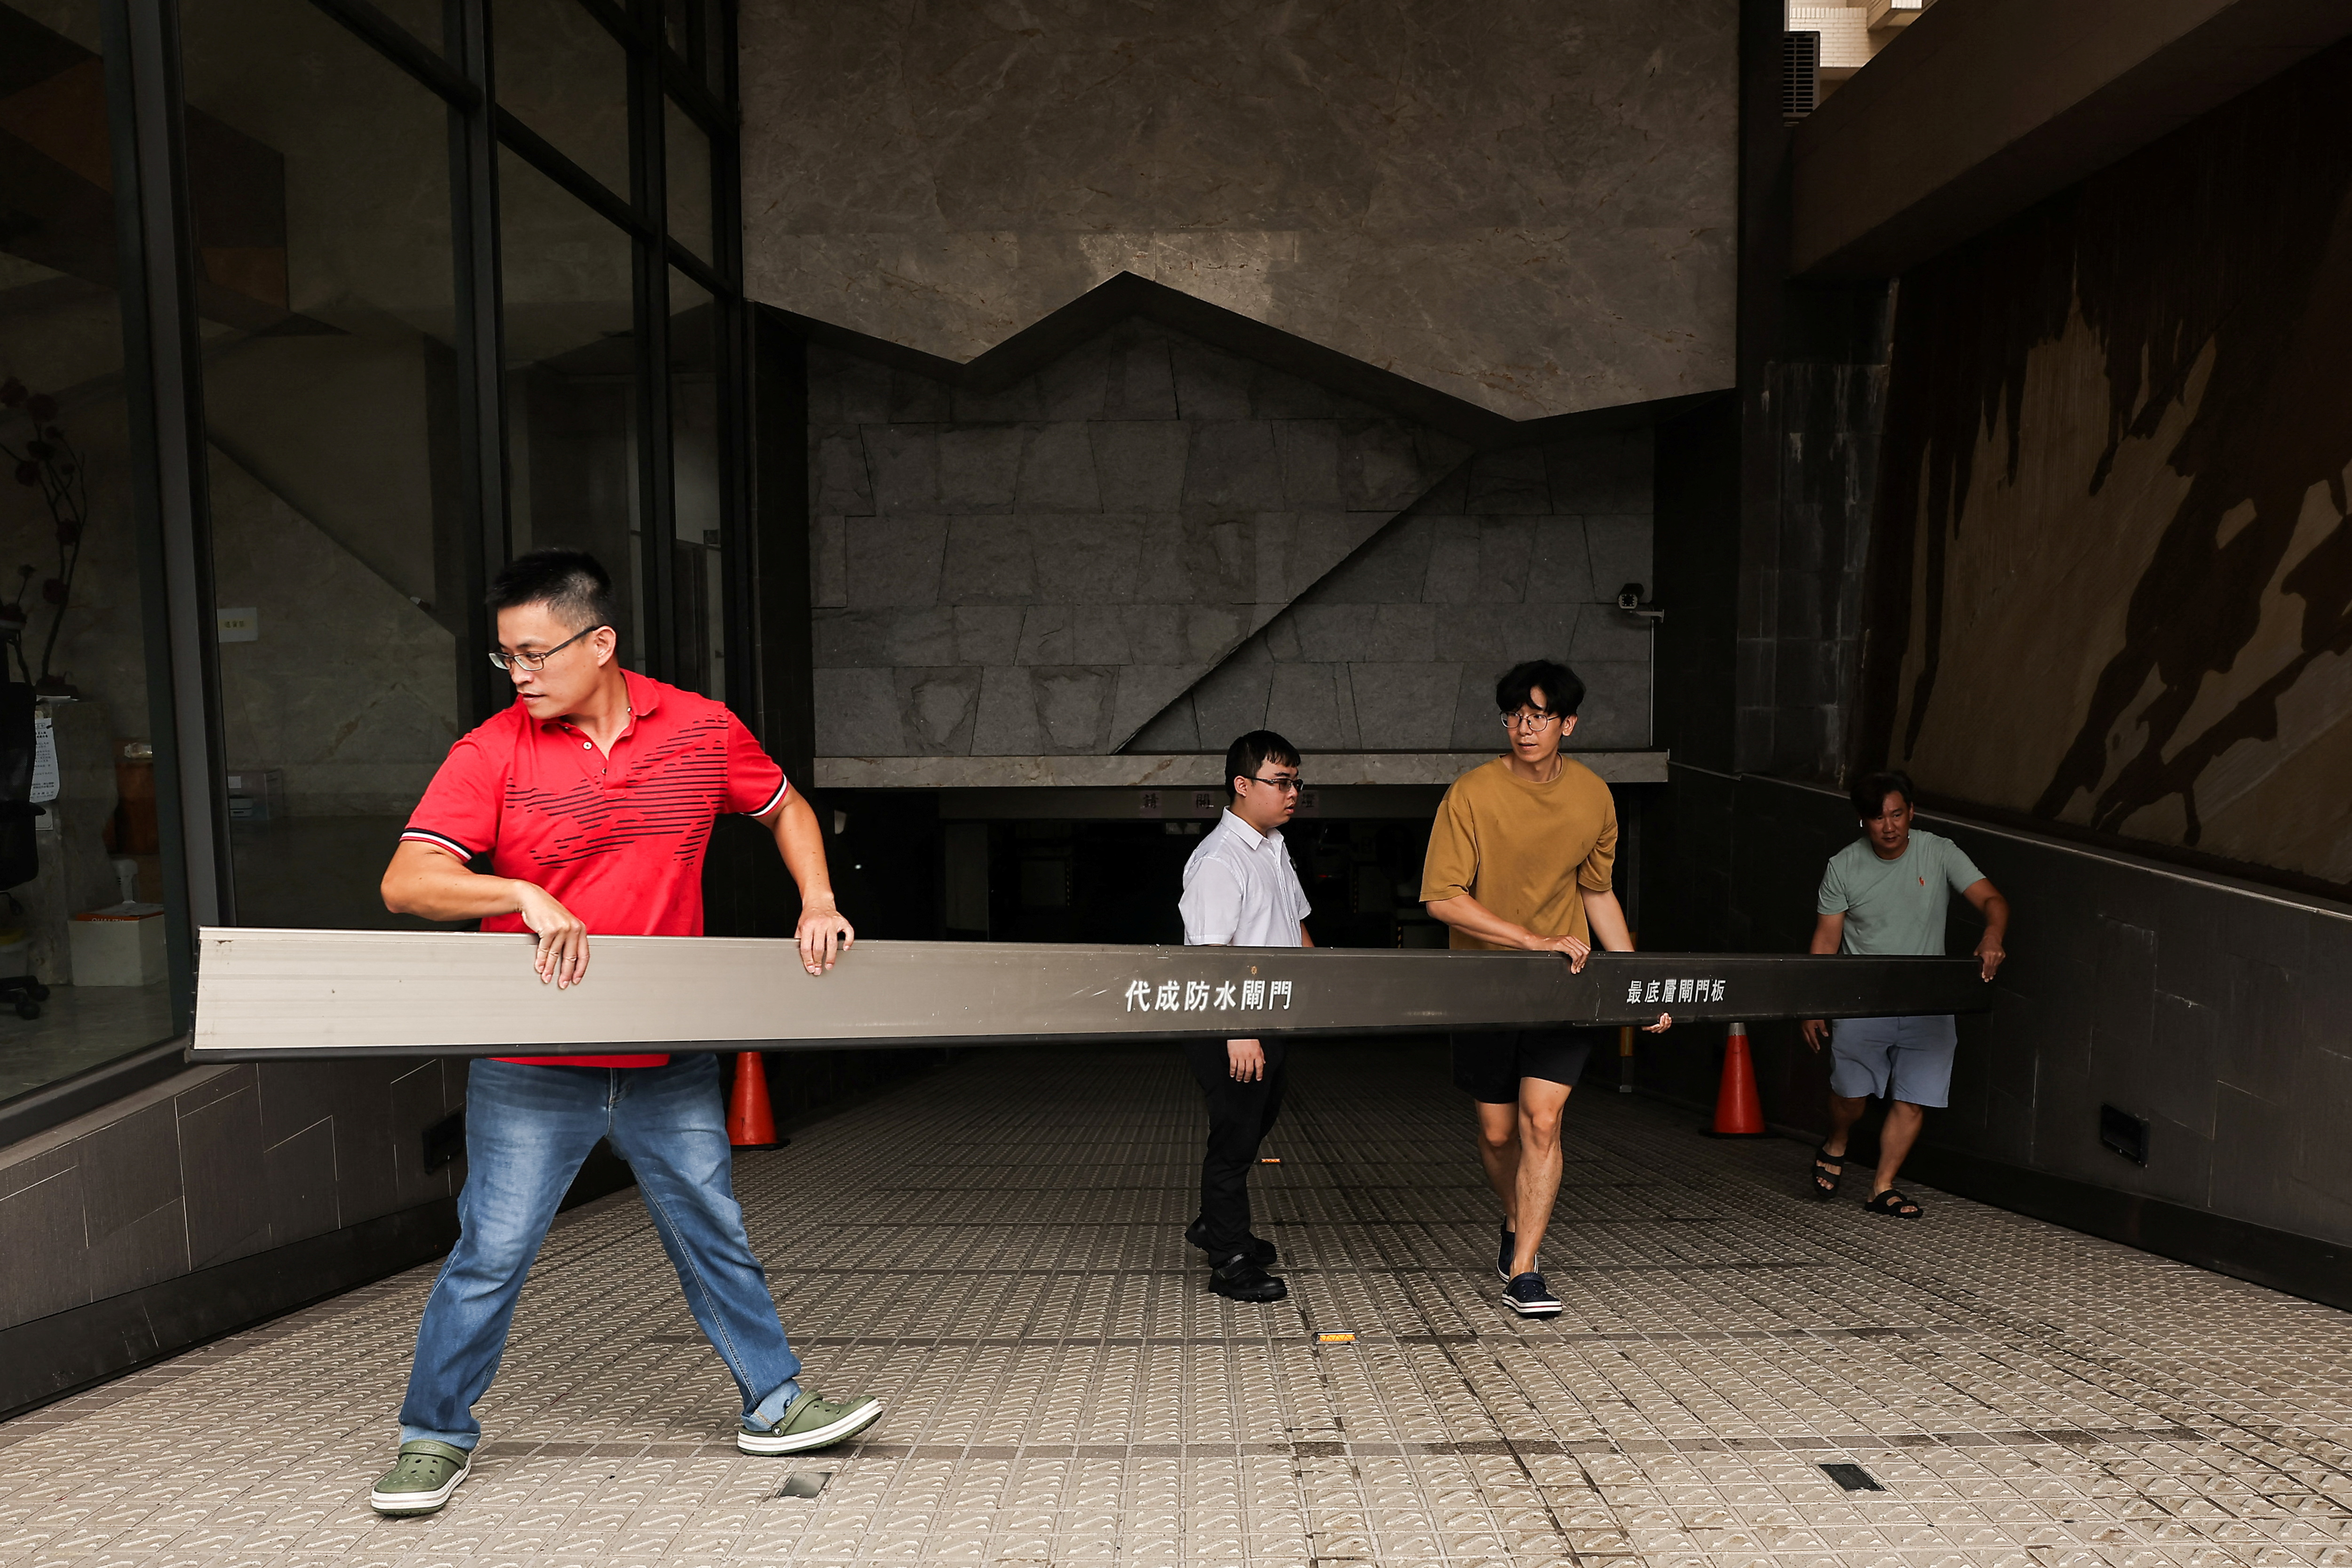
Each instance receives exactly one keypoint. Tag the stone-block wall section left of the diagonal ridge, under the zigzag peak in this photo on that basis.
(1048, 568)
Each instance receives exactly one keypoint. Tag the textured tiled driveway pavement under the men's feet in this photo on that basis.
(996, 1254)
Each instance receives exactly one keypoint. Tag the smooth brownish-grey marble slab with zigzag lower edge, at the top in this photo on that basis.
(1523, 206)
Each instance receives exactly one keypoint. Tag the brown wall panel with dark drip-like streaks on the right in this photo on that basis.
(2113, 575)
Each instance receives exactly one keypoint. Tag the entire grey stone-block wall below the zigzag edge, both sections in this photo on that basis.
(1156, 544)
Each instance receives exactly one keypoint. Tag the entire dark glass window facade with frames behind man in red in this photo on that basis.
(396, 316)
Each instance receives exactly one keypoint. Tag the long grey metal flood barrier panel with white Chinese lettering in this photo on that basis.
(450, 993)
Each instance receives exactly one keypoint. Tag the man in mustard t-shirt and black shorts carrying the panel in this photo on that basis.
(1521, 857)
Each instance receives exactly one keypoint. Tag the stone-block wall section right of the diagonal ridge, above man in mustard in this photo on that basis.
(1514, 556)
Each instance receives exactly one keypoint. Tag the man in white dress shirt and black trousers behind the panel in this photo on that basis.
(1241, 890)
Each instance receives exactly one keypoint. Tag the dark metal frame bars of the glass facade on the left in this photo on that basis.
(166, 396)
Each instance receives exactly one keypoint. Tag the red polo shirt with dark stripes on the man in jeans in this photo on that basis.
(617, 840)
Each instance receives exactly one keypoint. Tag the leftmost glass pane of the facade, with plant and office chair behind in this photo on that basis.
(79, 808)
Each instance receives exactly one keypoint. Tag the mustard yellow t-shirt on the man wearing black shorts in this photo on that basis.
(1523, 850)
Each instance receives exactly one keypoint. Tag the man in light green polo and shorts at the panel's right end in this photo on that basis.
(1887, 894)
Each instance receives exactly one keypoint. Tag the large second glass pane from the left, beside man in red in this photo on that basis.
(330, 410)
